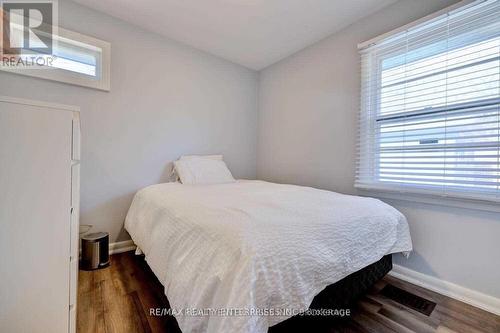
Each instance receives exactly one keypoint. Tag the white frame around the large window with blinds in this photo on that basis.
(407, 191)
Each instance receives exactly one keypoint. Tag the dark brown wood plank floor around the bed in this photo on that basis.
(119, 299)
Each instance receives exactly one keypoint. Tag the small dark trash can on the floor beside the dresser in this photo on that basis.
(95, 251)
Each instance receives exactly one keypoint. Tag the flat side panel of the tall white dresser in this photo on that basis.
(35, 201)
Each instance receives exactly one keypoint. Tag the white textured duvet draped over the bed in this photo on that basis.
(253, 246)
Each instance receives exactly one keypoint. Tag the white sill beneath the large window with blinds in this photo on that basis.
(431, 199)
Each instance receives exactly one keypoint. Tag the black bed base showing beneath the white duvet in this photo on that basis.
(340, 295)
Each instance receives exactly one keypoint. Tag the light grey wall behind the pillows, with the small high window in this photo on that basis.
(166, 99)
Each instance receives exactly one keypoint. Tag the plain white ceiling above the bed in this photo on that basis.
(252, 33)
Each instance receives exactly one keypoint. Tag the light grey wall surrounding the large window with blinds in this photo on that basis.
(308, 107)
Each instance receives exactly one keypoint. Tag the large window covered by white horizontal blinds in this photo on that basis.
(430, 106)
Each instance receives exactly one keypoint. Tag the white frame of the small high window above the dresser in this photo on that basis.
(103, 66)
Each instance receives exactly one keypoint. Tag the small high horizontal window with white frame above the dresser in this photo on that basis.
(77, 59)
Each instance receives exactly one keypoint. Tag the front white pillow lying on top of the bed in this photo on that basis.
(198, 170)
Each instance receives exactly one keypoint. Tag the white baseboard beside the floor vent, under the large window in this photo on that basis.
(469, 296)
